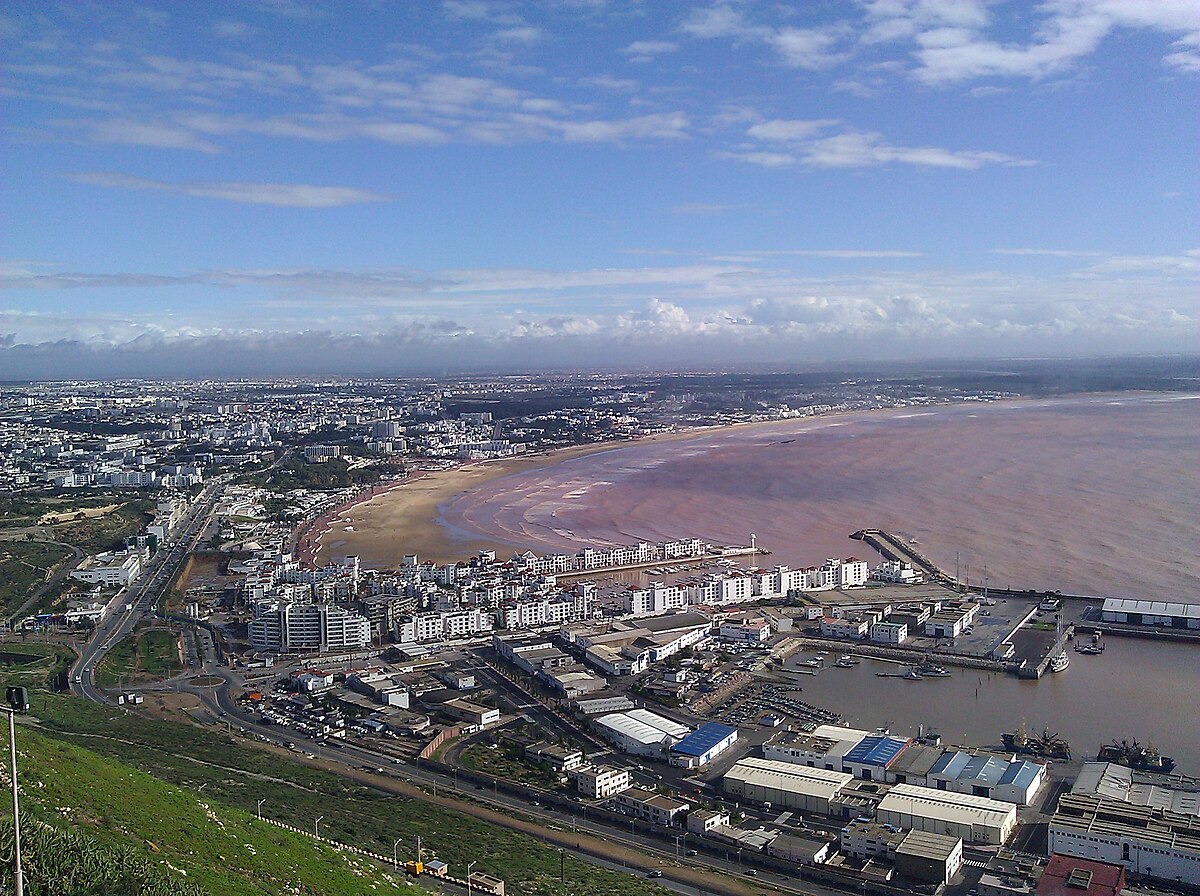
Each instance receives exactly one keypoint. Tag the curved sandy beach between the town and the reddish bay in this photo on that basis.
(412, 522)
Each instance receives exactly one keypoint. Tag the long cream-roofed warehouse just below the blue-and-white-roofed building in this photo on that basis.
(976, 820)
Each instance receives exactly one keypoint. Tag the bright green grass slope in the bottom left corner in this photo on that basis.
(184, 838)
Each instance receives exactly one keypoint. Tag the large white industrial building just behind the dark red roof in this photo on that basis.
(1143, 840)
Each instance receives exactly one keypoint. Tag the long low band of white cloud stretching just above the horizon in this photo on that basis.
(605, 316)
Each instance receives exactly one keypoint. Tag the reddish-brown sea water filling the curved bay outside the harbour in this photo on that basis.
(1089, 496)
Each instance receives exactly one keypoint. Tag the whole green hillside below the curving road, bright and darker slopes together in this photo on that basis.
(185, 798)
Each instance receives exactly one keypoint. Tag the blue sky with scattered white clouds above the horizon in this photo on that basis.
(371, 188)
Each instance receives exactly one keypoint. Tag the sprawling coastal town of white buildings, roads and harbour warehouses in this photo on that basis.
(661, 695)
